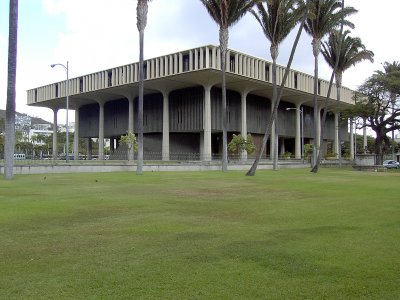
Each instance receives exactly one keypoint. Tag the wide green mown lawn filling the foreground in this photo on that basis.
(289, 234)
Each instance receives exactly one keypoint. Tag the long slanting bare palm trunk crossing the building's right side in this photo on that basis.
(252, 170)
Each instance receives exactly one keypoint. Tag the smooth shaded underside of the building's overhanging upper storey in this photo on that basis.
(188, 79)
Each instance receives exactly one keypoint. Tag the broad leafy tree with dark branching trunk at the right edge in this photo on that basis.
(378, 109)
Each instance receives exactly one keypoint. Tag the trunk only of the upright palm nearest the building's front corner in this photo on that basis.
(223, 39)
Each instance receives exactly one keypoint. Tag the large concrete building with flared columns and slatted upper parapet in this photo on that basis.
(182, 104)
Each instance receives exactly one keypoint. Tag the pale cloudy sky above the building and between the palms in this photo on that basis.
(94, 35)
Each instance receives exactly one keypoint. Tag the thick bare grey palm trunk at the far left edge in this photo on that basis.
(11, 82)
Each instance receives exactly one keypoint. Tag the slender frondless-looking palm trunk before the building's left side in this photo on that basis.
(141, 15)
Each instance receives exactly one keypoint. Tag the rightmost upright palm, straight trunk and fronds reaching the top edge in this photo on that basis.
(325, 16)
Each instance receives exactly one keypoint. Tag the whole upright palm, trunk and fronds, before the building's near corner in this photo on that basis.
(226, 13)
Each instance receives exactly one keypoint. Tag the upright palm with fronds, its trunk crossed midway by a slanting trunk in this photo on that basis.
(277, 18)
